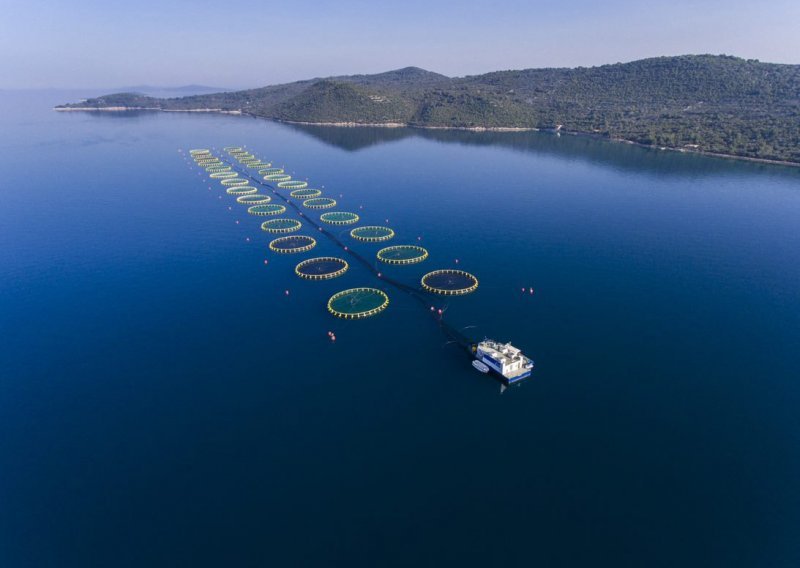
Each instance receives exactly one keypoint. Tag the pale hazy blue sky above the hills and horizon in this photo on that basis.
(237, 43)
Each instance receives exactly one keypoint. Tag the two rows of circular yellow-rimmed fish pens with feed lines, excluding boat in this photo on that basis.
(352, 303)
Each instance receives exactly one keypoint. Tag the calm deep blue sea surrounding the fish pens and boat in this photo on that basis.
(163, 403)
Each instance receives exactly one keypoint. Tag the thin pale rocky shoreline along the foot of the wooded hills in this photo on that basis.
(463, 128)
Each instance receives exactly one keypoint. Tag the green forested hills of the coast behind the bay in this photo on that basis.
(708, 103)
